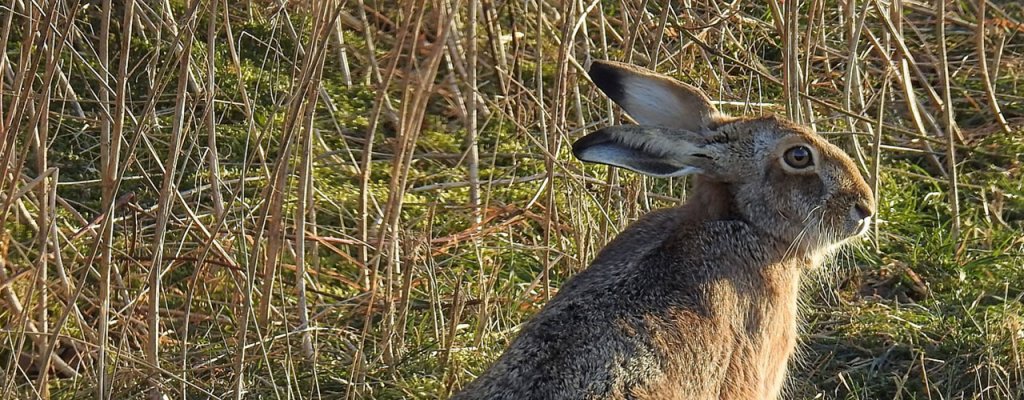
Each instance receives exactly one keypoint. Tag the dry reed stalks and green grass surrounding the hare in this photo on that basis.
(365, 199)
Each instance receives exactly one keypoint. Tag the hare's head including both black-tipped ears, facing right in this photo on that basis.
(782, 179)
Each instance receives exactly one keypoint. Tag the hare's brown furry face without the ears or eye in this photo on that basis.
(808, 210)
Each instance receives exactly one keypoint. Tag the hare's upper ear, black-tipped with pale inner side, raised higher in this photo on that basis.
(653, 99)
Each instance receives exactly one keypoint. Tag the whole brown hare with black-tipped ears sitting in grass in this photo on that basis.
(699, 301)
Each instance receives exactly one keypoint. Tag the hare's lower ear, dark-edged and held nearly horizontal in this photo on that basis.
(650, 151)
